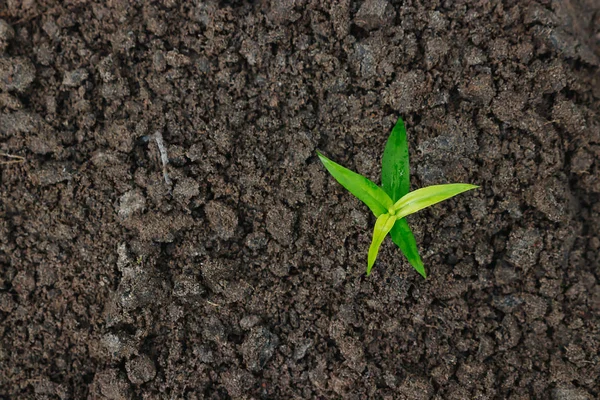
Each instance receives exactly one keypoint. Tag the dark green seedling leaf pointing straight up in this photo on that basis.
(395, 170)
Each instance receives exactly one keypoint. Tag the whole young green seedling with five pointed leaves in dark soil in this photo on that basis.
(392, 202)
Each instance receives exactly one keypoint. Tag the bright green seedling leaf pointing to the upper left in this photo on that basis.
(365, 190)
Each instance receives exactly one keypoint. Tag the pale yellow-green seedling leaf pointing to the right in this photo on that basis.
(425, 197)
